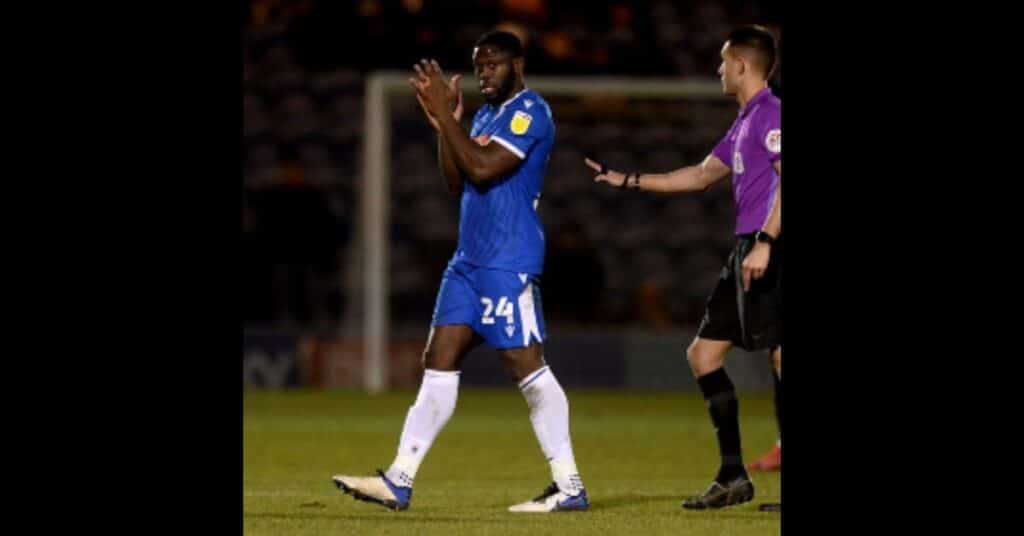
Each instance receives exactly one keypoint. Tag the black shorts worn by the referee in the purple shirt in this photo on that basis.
(752, 320)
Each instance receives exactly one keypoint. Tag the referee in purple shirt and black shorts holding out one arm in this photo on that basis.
(745, 308)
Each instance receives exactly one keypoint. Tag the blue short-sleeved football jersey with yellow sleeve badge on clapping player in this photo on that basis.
(499, 227)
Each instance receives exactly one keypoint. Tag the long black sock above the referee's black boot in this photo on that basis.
(724, 409)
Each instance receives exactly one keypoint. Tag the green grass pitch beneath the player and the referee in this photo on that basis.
(639, 453)
